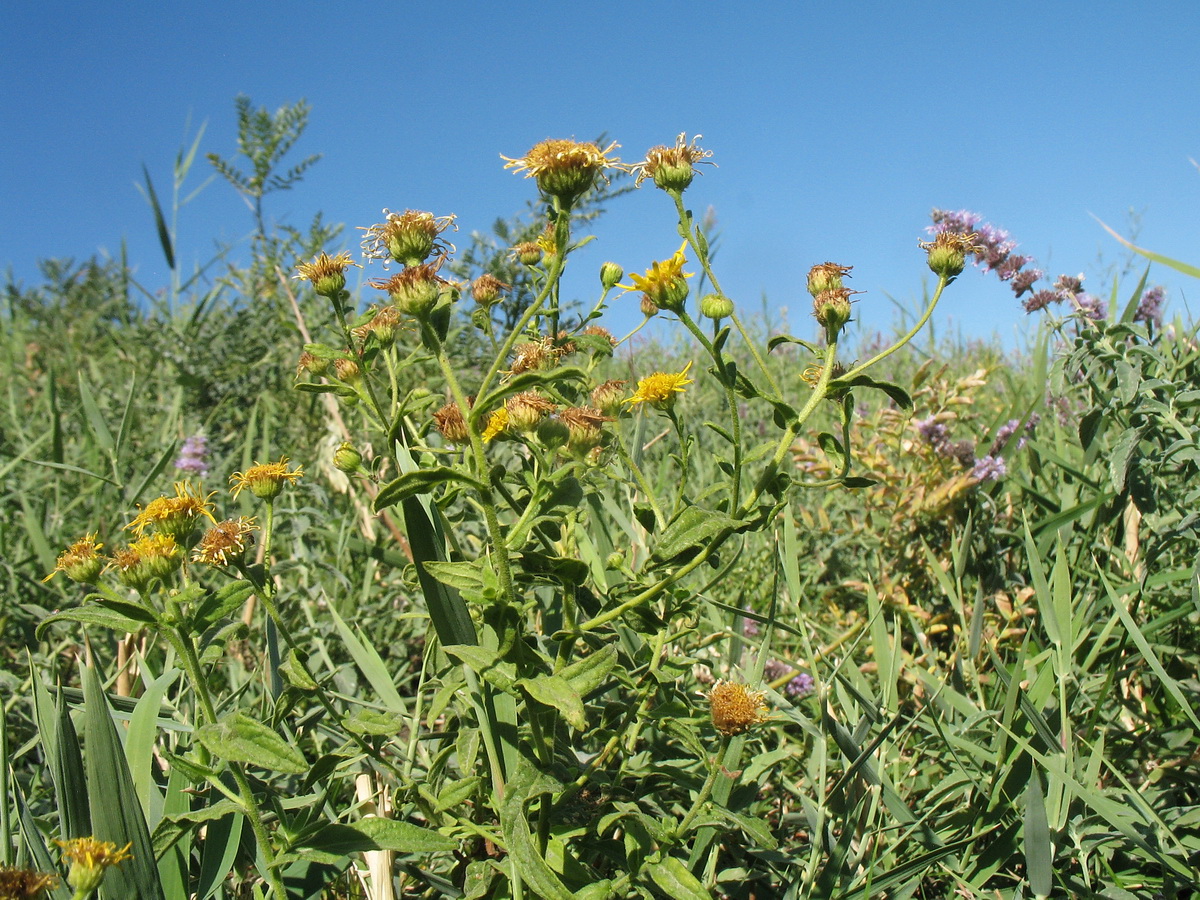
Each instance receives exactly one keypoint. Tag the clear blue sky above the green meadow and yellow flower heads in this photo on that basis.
(836, 129)
